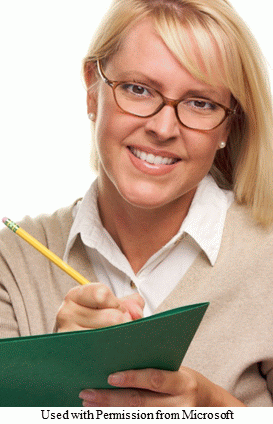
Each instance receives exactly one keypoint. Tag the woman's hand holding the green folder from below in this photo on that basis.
(158, 388)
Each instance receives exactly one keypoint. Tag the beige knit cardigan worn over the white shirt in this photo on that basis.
(233, 346)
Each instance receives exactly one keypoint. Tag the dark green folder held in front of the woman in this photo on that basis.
(52, 369)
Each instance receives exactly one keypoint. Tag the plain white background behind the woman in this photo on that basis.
(44, 130)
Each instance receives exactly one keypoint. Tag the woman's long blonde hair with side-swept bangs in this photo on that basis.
(226, 53)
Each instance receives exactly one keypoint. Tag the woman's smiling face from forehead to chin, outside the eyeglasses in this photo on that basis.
(143, 57)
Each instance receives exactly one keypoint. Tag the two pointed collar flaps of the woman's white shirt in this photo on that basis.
(204, 222)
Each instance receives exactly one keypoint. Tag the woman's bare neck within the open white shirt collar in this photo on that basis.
(140, 232)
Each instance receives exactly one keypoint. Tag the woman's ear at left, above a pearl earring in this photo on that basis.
(91, 80)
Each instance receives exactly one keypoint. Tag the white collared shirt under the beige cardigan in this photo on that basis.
(201, 230)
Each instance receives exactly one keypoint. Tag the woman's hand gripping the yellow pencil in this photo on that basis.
(95, 306)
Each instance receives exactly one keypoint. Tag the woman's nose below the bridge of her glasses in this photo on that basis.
(164, 125)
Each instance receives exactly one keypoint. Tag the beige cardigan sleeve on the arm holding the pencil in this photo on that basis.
(32, 288)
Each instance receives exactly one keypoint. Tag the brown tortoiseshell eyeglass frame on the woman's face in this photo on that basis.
(165, 101)
